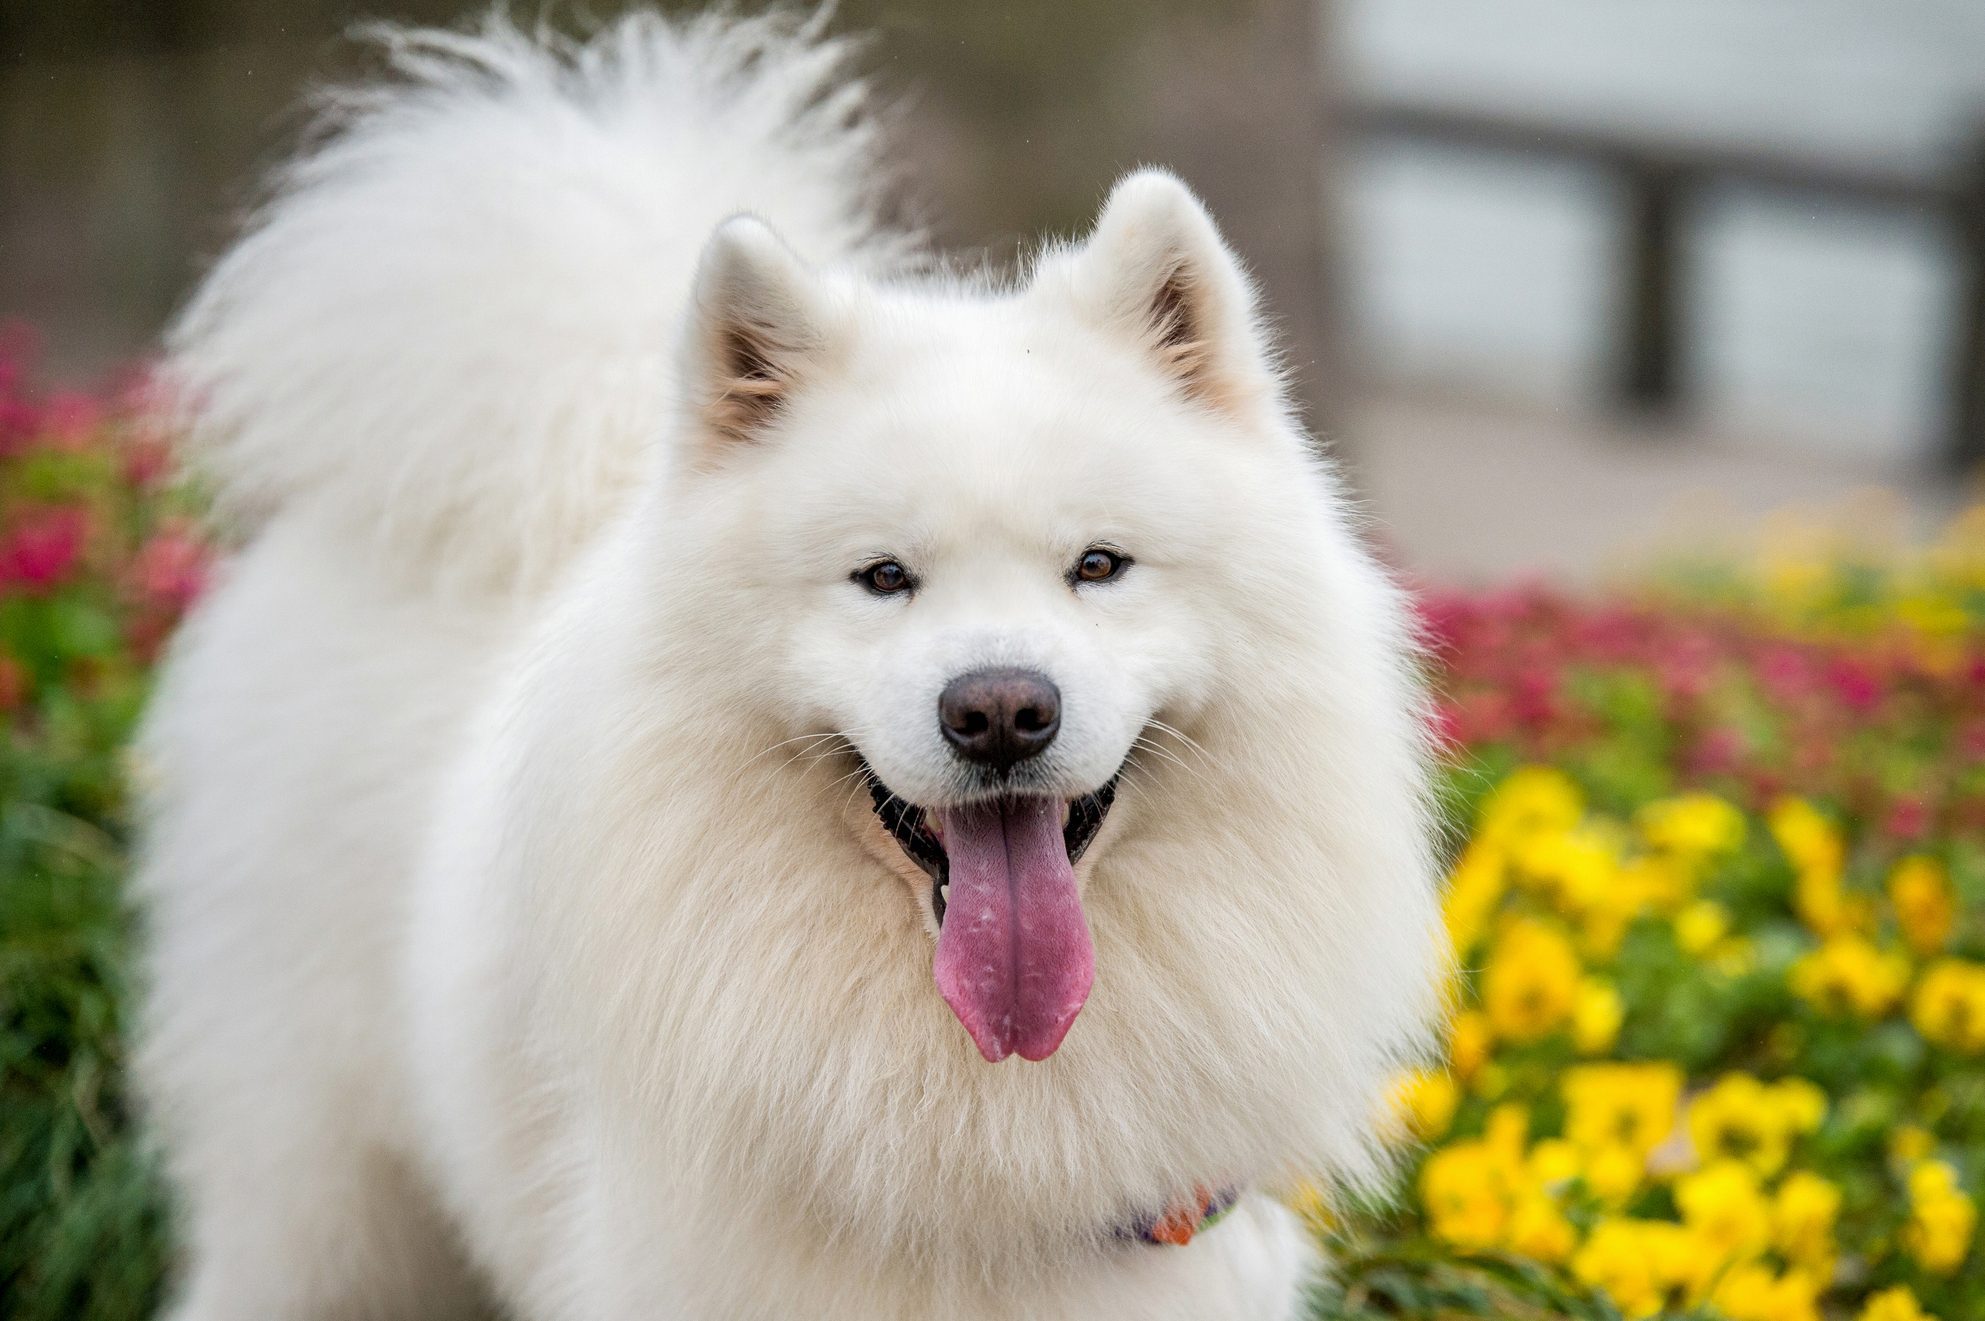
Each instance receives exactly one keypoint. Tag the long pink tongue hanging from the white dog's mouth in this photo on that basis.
(1013, 958)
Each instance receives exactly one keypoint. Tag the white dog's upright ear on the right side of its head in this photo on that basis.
(1158, 273)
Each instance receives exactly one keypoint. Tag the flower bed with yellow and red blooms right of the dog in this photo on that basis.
(1720, 1016)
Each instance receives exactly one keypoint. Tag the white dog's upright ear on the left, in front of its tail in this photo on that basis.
(755, 331)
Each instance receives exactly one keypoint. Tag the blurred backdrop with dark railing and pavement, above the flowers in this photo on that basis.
(1565, 281)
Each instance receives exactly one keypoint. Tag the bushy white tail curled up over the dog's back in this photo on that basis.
(454, 325)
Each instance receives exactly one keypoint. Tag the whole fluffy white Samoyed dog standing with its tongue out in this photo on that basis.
(739, 776)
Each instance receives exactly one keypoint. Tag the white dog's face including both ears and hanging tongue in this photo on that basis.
(995, 547)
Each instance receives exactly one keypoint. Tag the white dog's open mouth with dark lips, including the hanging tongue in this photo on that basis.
(1013, 947)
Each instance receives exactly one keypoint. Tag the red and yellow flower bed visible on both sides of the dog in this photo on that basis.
(1720, 1038)
